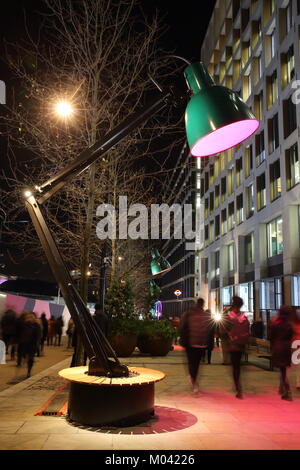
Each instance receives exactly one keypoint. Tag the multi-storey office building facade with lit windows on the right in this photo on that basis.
(251, 194)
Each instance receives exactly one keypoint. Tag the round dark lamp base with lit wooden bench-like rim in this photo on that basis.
(120, 401)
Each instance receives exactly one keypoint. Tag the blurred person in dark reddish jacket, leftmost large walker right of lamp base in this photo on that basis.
(194, 337)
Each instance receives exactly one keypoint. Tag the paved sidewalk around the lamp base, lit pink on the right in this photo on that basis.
(212, 420)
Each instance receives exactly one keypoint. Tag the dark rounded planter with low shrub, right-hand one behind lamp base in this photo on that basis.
(156, 337)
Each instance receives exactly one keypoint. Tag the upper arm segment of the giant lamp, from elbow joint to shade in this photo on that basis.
(91, 154)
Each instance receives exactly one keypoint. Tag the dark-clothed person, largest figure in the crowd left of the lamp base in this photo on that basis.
(29, 338)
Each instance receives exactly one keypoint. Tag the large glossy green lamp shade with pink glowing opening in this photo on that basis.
(216, 118)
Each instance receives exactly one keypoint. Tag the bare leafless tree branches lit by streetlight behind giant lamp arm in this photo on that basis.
(95, 54)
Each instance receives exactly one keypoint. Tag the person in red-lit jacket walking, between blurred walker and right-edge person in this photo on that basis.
(239, 335)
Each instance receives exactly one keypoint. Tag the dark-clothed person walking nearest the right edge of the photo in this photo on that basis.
(281, 336)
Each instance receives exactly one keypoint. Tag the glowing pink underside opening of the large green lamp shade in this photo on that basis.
(224, 138)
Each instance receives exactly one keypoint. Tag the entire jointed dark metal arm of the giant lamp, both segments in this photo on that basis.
(95, 343)
